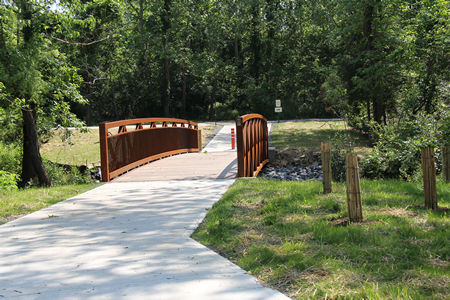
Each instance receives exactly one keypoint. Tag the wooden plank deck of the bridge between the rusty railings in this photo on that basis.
(190, 166)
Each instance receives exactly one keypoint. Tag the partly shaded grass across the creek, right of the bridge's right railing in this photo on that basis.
(309, 135)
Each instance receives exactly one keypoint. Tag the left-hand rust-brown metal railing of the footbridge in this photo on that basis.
(150, 139)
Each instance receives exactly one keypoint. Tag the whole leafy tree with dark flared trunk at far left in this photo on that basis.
(37, 79)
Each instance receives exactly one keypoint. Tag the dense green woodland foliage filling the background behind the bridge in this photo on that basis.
(366, 60)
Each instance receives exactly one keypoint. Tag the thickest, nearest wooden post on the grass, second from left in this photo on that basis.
(353, 188)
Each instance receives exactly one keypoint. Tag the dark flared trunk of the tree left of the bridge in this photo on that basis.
(31, 158)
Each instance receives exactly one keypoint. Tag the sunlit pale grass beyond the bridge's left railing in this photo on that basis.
(83, 147)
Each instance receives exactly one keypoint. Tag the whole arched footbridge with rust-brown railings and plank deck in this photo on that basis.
(174, 148)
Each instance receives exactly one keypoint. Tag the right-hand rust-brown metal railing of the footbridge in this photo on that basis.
(252, 144)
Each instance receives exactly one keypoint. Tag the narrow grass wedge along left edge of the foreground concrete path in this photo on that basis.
(14, 204)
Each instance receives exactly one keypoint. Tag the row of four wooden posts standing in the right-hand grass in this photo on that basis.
(353, 185)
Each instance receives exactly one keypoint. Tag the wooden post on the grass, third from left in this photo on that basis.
(429, 178)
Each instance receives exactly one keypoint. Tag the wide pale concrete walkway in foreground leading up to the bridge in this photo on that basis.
(122, 241)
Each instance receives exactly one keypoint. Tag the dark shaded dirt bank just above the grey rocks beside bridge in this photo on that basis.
(294, 157)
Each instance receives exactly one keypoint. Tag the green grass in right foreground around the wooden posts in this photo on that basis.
(280, 232)
